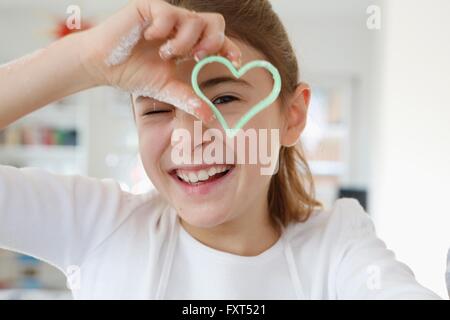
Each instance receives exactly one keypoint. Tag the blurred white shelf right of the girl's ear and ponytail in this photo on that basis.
(329, 134)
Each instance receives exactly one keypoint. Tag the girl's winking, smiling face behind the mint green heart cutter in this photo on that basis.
(230, 190)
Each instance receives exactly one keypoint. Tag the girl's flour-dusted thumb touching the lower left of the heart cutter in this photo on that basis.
(180, 95)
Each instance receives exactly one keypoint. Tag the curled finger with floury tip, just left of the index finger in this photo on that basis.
(187, 36)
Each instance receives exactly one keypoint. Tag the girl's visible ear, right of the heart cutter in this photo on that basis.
(295, 115)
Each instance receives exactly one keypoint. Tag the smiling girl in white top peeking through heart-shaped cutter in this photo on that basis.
(221, 231)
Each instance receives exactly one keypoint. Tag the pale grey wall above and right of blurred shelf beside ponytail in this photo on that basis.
(331, 40)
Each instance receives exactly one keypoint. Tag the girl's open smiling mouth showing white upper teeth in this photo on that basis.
(196, 177)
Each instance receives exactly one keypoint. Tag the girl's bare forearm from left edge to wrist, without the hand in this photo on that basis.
(46, 75)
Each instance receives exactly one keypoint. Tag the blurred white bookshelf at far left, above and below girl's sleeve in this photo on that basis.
(52, 138)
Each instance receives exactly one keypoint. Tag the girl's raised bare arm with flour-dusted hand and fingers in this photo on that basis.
(134, 50)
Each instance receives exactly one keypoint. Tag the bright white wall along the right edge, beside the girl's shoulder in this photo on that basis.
(411, 165)
